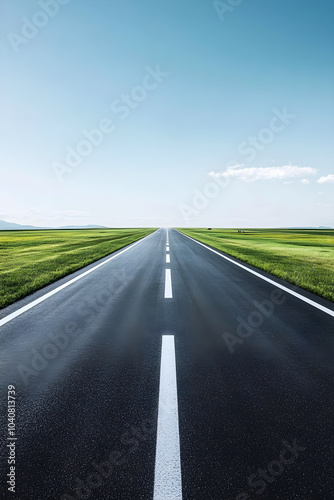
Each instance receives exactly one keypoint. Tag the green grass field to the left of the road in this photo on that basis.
(30, 260)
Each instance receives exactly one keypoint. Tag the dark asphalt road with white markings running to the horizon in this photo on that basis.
(238, 404)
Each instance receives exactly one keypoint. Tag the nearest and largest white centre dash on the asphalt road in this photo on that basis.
(167, 474)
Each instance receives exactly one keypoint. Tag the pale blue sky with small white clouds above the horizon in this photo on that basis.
(210, 113)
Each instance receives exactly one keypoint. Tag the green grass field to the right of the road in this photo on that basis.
(302, 257)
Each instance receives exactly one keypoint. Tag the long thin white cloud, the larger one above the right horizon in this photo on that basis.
(250, 174)
